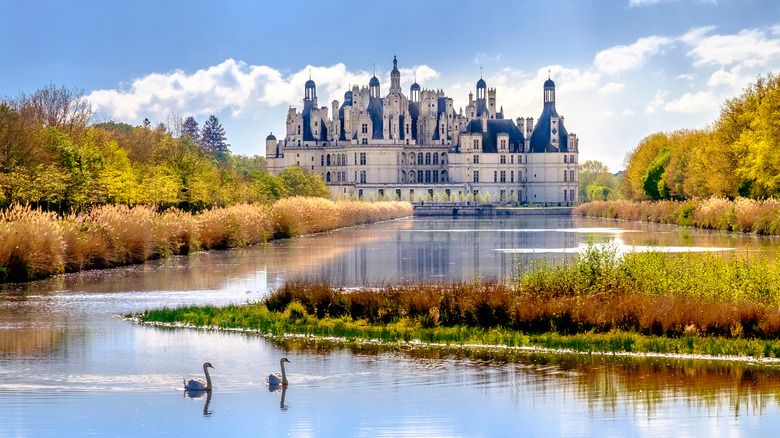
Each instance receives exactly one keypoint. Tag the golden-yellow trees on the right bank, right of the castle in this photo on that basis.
(738, 156)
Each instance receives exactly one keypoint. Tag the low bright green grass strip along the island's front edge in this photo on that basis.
(257, 317)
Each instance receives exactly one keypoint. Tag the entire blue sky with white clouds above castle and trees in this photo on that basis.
(623, 69)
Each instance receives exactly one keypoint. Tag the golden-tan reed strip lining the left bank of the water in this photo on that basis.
(36, 244)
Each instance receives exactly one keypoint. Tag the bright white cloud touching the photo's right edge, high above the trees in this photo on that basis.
(750, 47)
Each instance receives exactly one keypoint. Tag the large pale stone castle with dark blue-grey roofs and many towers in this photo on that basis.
(419, 148)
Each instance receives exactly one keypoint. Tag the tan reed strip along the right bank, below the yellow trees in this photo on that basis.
(741, 214)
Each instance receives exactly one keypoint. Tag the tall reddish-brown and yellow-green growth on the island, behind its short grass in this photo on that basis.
(599, 291)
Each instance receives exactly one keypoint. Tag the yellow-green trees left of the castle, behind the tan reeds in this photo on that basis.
(52, 156)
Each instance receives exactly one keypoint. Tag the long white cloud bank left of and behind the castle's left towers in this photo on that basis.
(232, 85)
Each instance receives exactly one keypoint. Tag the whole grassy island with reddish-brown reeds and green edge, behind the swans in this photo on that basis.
(692, 303)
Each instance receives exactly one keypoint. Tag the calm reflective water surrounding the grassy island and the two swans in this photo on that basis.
(71, 366)
